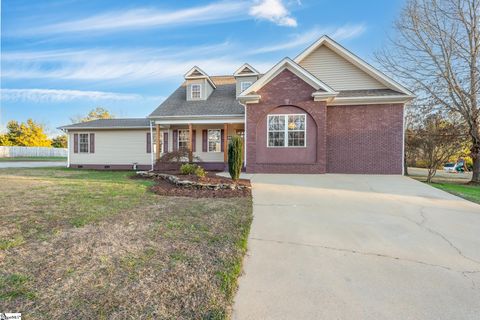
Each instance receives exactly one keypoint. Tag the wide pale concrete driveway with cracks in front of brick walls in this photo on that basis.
(359, 247)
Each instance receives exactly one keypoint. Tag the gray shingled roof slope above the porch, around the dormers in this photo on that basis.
(222, 101)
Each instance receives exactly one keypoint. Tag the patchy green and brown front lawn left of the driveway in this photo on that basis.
(99, 245)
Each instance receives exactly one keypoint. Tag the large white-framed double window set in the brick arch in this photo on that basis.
(286, 130)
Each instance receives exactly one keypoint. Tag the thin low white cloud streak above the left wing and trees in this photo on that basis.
(57, 95)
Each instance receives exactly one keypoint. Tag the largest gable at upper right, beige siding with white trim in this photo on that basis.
(336, 65)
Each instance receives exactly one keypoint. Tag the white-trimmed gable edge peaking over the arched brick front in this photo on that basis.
(289, 64)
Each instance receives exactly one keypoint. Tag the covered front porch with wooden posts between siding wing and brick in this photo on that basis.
(205, 143)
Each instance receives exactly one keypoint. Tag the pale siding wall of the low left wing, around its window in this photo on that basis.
(114, 147)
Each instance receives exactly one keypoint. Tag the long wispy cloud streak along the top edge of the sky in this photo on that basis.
(143, 18)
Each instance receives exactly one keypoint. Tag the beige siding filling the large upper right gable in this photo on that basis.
(337, 72)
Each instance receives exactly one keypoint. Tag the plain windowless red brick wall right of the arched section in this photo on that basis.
(365, 139)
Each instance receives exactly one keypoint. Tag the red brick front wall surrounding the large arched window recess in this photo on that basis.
(286, 93)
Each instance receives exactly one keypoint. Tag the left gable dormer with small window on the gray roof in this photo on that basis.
(198, 84)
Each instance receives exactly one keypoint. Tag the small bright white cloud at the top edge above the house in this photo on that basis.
(273, 10)
